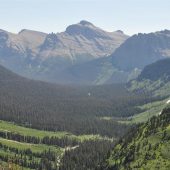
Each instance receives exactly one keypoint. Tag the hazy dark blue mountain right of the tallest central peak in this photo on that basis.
(141, 50)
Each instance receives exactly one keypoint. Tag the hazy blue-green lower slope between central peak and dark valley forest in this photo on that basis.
(98, 71)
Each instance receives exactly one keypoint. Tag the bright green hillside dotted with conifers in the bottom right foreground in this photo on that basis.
(144, 147)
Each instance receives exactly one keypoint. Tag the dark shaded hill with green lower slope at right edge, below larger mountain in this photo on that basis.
(155, 79)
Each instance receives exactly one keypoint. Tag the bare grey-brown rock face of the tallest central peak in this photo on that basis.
(81, 42)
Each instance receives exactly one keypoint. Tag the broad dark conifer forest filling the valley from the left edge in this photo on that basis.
(65, 108)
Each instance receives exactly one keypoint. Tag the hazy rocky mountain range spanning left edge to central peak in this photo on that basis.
(39, 55)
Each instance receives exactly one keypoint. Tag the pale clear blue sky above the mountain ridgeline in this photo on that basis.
(131, 16)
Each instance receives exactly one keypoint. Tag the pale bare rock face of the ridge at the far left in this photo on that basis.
(21, 43)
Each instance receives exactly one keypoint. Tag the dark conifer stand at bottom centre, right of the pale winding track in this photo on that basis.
(89, 155)
